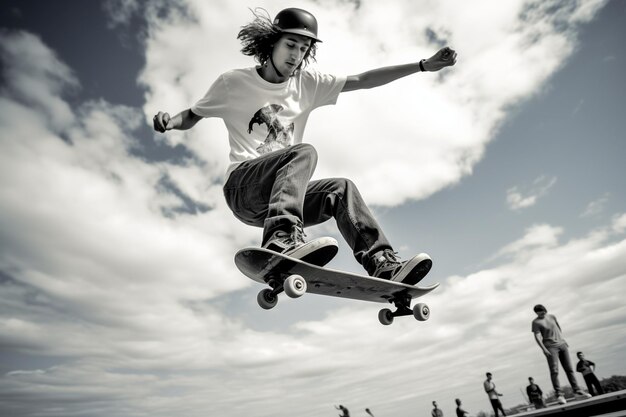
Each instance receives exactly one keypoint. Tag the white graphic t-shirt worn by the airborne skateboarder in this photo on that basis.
(262, 117)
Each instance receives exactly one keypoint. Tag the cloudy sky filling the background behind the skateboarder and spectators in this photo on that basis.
(118, 292)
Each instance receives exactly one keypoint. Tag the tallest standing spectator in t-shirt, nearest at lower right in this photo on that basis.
(549, 337)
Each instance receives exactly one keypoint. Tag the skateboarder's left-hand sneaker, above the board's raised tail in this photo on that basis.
(317, 252)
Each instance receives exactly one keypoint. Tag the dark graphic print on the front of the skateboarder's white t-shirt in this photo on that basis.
(279, 134)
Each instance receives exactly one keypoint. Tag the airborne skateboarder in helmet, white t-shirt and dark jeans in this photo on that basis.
(265, 109)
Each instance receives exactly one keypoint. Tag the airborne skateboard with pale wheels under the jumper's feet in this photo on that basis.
(295, 278)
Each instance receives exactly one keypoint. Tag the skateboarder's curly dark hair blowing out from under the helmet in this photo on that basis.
(259, 36)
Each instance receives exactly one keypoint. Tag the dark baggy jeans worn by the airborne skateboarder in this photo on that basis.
(274, 191)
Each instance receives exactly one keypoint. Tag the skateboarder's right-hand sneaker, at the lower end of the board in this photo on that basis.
(388, 266)
